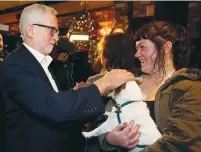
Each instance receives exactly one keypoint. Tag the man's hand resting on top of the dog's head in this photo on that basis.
(113, 79)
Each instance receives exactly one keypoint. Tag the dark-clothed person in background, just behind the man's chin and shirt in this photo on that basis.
(71, 66)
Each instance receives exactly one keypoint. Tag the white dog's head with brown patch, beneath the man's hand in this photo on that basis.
(127, 92)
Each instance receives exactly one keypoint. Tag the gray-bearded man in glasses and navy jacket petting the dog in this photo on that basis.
(36, 111)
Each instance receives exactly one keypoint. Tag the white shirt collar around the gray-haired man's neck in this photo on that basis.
(42, 59)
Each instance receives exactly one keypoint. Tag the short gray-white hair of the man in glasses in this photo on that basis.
(34, 14)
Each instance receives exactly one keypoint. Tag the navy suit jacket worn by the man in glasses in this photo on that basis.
(36, 116)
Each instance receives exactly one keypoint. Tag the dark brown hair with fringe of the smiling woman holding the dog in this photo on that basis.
(160, 32)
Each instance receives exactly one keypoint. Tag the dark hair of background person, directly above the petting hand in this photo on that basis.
(118, 50)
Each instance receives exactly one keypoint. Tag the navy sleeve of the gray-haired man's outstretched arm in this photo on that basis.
(25, 87)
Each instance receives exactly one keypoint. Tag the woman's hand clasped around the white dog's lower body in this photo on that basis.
(124, 135)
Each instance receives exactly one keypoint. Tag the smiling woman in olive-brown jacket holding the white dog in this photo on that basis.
(162, 50)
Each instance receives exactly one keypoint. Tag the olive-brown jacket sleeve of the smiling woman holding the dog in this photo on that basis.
(182, 131)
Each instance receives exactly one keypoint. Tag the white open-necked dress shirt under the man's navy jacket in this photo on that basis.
(44, 62)
